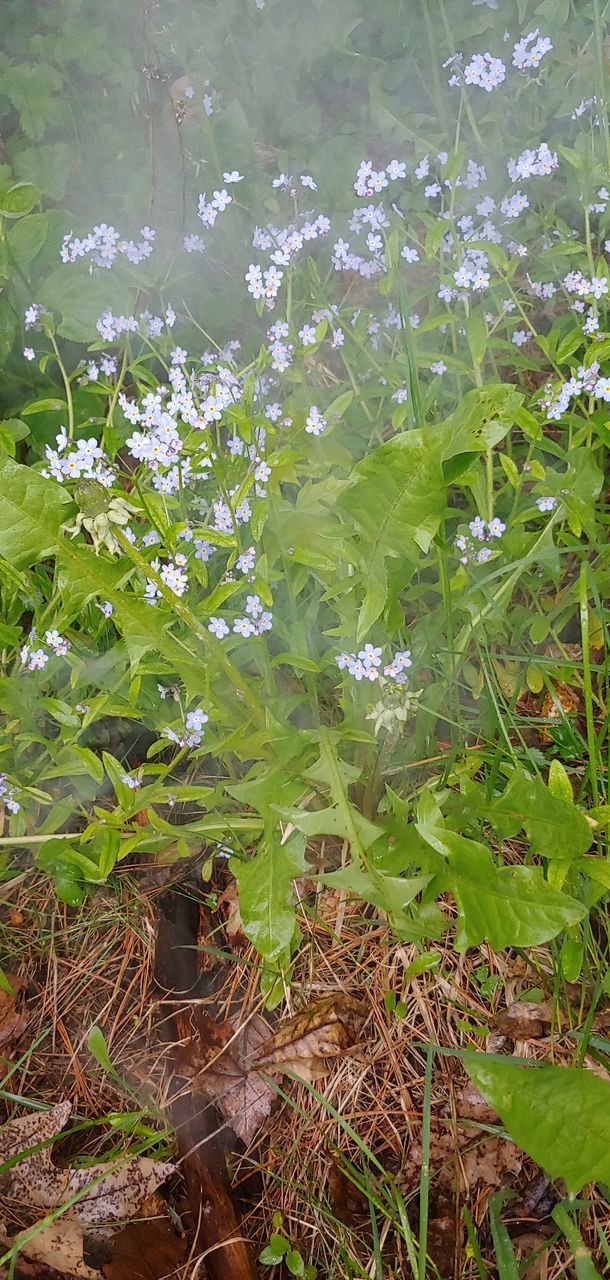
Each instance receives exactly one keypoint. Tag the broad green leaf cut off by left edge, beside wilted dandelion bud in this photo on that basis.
(31, 514)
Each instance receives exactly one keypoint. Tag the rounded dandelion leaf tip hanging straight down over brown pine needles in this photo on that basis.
(267, 895)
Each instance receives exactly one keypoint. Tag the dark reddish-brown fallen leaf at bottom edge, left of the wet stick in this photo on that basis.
(145, 1251)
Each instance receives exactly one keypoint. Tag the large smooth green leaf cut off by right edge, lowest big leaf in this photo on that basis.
(559, 1116)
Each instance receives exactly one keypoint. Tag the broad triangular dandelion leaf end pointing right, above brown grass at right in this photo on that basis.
(510, 907)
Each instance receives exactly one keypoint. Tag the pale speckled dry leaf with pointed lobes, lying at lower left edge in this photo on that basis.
(35, 1181)
